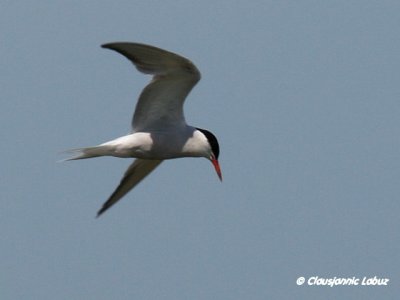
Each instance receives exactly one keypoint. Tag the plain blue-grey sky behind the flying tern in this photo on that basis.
(304, 97)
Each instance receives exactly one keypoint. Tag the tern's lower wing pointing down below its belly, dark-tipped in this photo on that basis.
(138, 170)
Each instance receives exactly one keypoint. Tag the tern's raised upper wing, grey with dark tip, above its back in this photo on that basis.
(160, 104)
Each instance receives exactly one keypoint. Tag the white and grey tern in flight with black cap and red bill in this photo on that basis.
(159, 129)
